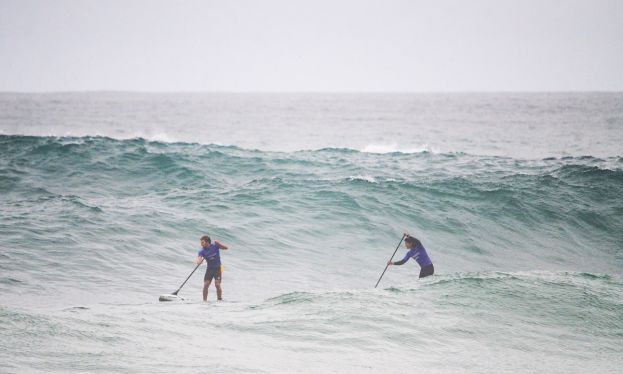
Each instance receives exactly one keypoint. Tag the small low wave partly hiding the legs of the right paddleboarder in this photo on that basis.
(506, 293)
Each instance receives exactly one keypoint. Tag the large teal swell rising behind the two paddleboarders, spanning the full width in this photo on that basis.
(504, 212)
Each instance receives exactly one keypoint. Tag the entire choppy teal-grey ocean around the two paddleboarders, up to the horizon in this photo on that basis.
(517, 197)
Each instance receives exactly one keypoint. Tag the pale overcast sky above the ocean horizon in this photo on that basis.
(311, 46)
